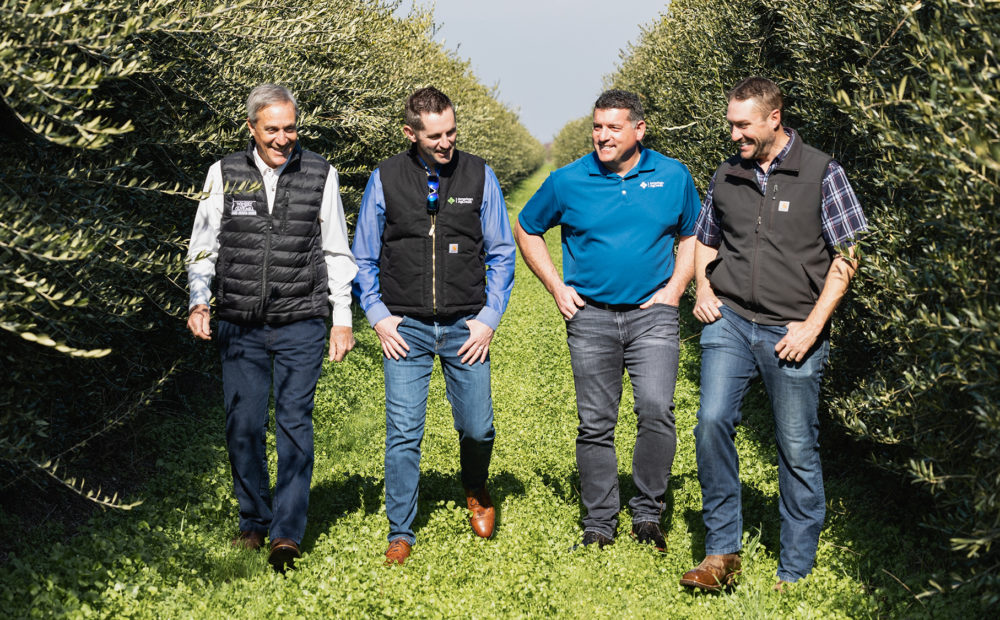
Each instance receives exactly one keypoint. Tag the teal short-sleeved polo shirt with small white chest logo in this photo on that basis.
(617, 232)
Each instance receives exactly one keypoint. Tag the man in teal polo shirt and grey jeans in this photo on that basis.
(620, 209)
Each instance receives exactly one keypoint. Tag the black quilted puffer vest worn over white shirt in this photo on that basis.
(270, 268)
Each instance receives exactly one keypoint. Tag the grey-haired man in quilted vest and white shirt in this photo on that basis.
(271, 233)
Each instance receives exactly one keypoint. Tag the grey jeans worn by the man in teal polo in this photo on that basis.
(602, 344)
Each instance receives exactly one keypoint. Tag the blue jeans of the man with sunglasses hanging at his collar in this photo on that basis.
(407, 381)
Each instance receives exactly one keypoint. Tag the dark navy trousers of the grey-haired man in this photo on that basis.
(292, 356)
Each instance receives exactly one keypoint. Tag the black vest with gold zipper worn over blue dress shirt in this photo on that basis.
(440, 274)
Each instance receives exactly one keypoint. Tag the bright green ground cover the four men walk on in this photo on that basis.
(170, 557)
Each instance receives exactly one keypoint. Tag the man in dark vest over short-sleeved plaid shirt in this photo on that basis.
(773, 258)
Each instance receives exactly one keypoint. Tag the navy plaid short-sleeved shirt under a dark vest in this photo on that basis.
(842, 217)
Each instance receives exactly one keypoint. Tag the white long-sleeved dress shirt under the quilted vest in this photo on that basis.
(340, 265)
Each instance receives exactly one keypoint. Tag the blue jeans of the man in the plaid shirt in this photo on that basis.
(733, 352)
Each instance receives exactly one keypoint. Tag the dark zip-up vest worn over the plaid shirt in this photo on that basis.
(773, 260)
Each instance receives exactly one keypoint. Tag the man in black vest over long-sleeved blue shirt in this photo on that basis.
(435, 270)
